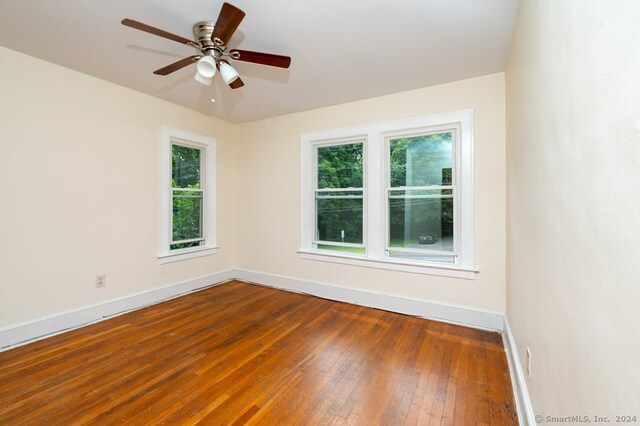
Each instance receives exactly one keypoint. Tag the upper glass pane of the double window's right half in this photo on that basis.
(421, 160)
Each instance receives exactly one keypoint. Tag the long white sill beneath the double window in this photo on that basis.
(453, 271)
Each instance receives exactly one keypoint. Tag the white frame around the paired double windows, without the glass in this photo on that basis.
(376, 183)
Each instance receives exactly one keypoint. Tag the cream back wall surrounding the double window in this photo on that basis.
(269, 193)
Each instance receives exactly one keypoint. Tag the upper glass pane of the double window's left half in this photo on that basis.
(340, 166)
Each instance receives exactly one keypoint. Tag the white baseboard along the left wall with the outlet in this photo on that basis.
(38, 328)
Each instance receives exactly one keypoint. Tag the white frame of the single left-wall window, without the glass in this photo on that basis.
(172, 136)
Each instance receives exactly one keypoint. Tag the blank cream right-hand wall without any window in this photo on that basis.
(573, 119)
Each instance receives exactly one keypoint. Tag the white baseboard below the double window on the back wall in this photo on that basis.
(423, 308)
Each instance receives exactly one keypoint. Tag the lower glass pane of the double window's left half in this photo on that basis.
(339, 219)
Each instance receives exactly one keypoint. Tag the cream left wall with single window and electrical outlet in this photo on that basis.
(79, 169)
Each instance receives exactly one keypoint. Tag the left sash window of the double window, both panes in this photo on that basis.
(339, 197)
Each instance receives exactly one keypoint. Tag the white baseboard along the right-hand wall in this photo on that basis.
(518, 381)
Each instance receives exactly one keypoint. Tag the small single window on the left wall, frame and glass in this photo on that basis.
(188, 195)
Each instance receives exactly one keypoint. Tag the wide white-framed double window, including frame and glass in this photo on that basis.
(395, 195)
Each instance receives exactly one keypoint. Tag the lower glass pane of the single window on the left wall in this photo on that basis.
(187, 215)
